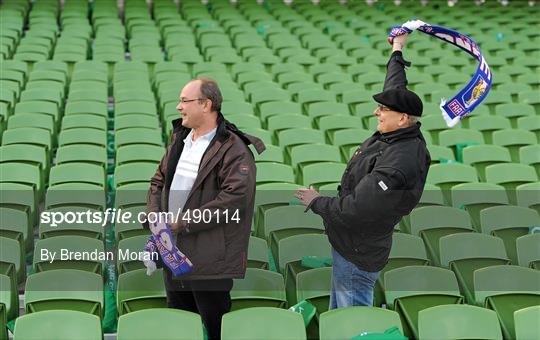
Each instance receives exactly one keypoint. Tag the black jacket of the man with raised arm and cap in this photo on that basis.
(383, 182)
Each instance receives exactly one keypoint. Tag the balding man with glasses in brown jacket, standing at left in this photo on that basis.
(207, 180)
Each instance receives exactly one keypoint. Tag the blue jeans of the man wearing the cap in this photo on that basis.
(351, 286)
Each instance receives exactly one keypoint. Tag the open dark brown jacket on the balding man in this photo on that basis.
(225, 181)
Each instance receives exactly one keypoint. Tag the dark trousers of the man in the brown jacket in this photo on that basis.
(209, 298)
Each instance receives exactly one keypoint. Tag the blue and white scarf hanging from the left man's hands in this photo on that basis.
(163, 243)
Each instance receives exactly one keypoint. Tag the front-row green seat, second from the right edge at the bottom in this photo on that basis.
(440, 322)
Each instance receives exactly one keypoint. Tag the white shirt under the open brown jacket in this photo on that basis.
(187, 169)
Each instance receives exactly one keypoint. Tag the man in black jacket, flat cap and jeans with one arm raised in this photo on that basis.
(382, 182)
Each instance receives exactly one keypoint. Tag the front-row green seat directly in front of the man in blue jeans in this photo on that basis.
(346, 323)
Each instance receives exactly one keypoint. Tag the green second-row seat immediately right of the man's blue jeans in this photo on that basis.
(410, 289)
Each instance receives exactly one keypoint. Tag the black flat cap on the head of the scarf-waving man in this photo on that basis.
(401, 100)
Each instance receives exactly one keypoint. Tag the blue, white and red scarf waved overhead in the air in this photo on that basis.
(476, 90)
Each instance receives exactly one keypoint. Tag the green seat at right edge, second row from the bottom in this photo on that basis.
(506, 289)
